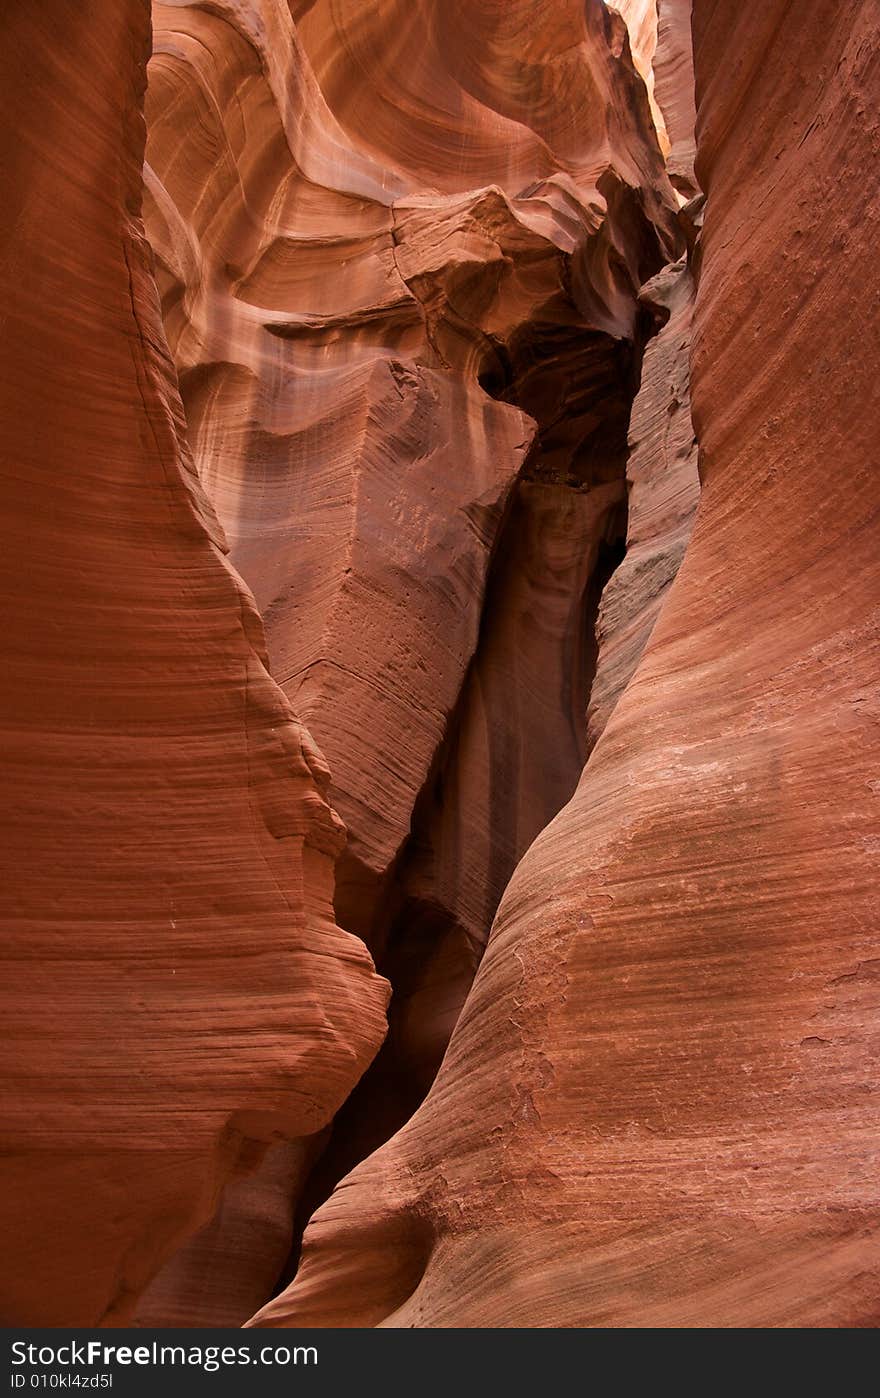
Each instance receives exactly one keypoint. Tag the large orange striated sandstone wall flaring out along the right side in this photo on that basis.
(660, 1107)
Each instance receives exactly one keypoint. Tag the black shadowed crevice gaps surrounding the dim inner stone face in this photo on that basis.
(580, 387)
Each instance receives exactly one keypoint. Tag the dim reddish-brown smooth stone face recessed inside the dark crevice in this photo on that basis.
(517, 754)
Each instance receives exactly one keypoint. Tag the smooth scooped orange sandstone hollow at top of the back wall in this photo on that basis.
(454, 94)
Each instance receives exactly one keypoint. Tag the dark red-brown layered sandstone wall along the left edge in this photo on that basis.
(176, 988)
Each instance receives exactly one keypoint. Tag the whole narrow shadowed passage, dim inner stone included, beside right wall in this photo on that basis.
(511, 756)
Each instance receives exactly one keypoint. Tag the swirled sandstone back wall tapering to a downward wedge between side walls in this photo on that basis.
(366, 237)
